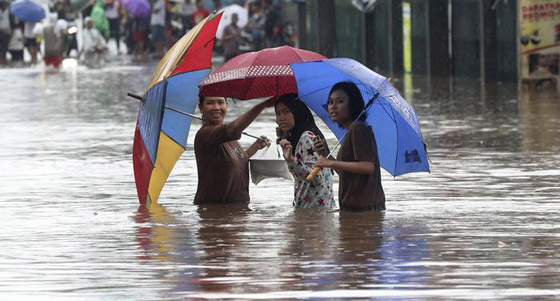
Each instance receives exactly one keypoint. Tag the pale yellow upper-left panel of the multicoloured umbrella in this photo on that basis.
(173, 57)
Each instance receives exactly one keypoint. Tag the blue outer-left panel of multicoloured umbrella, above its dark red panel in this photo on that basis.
(149, 119)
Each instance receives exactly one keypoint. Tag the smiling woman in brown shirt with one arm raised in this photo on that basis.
(223, 169)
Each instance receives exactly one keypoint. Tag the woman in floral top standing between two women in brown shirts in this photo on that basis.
(296, 132)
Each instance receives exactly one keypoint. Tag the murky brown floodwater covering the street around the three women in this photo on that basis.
(484, 224)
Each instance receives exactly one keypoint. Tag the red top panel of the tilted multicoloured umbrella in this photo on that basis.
(199, 54)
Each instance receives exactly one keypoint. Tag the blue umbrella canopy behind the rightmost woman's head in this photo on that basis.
(397, 131)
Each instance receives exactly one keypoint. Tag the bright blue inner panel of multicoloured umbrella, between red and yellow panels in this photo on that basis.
(182, 94)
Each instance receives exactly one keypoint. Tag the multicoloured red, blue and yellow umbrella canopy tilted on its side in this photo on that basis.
(161, 133)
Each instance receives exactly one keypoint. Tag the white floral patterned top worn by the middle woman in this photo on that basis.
(319, 192)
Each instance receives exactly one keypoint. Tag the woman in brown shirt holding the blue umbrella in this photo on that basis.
(357, 161)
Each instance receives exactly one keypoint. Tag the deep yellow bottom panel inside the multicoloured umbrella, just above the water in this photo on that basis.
(168, 154)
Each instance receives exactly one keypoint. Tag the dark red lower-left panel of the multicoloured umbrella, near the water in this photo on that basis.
(142, 166)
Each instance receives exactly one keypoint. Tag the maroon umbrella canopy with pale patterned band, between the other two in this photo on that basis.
(257, 74)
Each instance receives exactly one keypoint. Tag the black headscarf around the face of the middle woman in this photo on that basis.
(303, 120)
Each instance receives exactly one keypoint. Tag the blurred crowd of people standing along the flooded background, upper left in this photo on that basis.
(89, 29)
